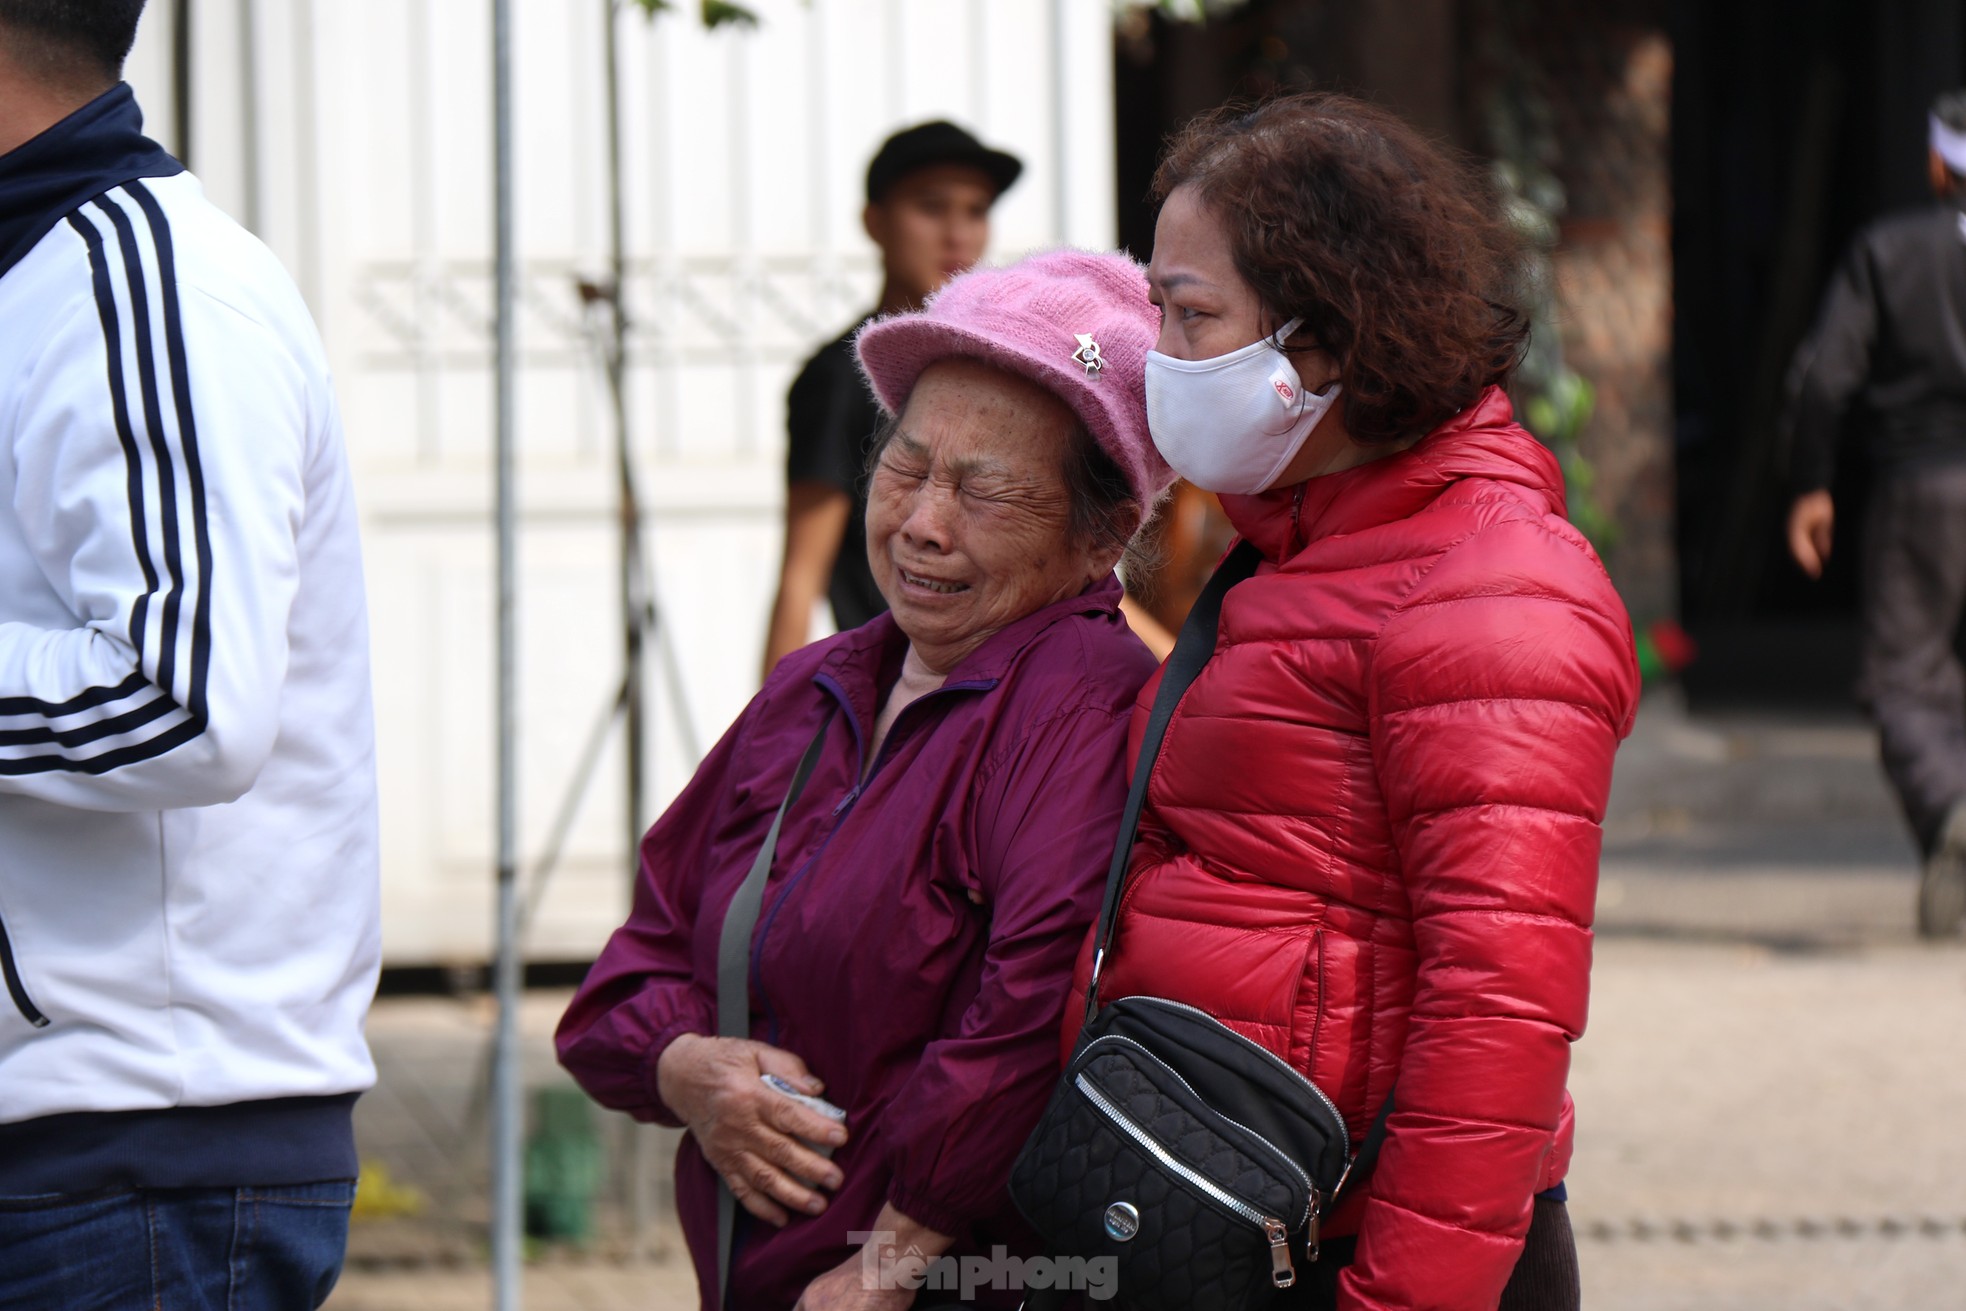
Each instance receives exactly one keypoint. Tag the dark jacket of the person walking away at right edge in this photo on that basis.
(1890, 337)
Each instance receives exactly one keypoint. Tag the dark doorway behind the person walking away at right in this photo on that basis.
(1794, 125)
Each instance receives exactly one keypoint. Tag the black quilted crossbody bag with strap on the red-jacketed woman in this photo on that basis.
(1192, 1157)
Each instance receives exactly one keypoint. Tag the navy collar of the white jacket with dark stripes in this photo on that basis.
(91, 150)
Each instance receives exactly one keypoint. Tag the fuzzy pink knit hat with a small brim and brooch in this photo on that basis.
(1074, 323)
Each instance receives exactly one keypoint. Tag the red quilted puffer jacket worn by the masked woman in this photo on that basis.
(1371, 842)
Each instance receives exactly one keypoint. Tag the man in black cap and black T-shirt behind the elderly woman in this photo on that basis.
(929, 198)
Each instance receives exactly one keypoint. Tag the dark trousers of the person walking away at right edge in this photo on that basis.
(1912, 681)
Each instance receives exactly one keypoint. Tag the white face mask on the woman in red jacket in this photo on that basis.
(1232, 424)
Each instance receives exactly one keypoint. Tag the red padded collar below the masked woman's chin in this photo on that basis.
(1483, 441)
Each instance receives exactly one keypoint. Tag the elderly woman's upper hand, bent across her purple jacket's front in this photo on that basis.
(748, 1133)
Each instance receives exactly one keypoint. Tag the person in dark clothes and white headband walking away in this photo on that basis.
(1892, 341)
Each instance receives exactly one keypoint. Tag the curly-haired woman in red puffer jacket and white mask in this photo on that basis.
(1371, 840)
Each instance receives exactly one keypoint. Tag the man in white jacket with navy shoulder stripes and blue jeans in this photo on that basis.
(188, 783)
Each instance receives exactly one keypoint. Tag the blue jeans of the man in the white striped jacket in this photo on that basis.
(268, 1249)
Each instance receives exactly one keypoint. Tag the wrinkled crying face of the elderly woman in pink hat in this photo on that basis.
(968, 512)
